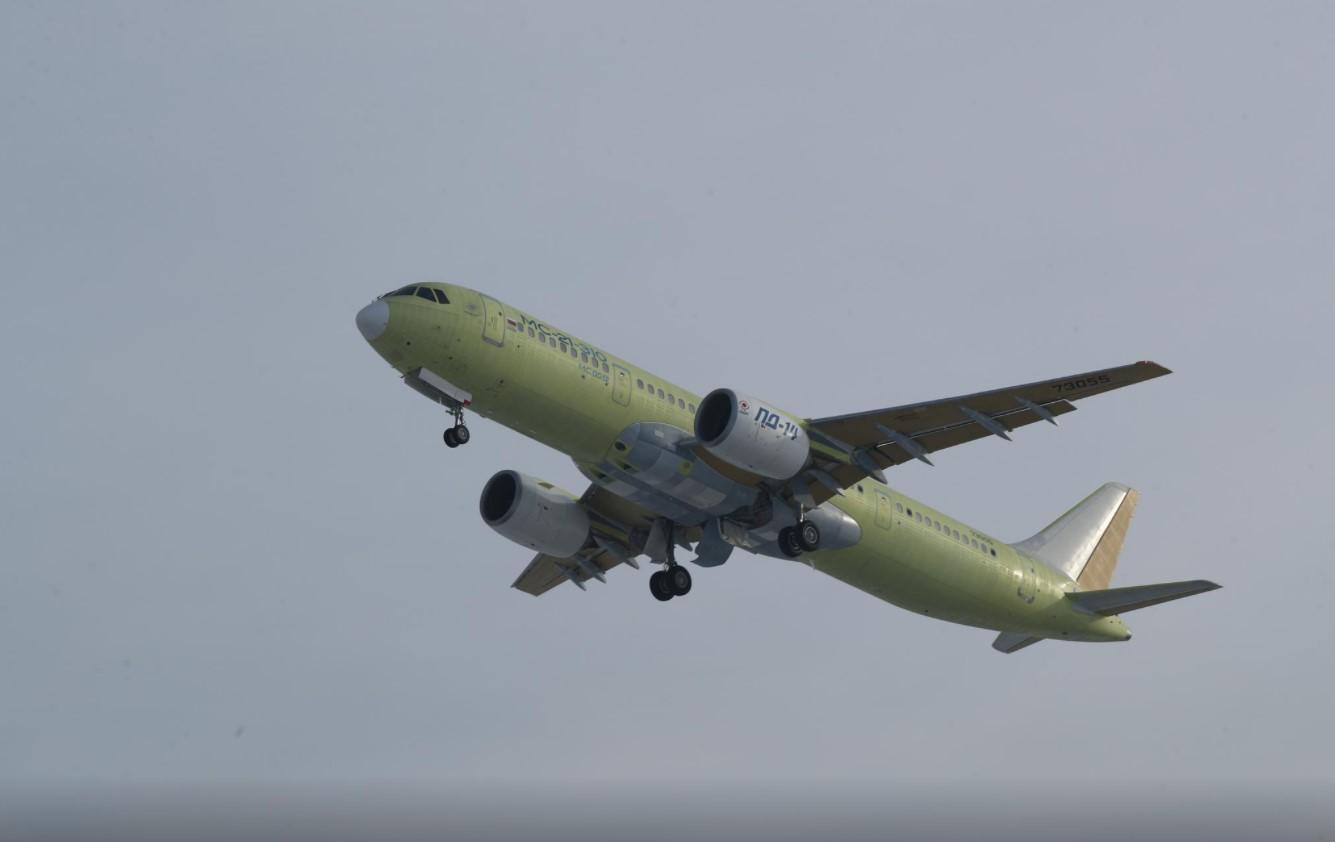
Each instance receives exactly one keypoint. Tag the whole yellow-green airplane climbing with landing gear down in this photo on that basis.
(670, 469)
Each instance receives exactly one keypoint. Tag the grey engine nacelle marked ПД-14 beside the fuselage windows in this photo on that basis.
(752, 436)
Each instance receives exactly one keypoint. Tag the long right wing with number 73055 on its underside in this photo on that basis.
(866, 444)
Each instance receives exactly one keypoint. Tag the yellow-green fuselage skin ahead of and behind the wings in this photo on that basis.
(576, 398)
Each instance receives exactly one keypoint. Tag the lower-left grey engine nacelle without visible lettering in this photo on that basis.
(535, 514)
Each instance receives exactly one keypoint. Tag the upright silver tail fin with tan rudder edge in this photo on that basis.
(1085, 542)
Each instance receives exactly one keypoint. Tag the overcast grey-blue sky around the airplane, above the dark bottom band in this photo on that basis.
(236, 552)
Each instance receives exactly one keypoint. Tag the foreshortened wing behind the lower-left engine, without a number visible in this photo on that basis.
(615, 522)
